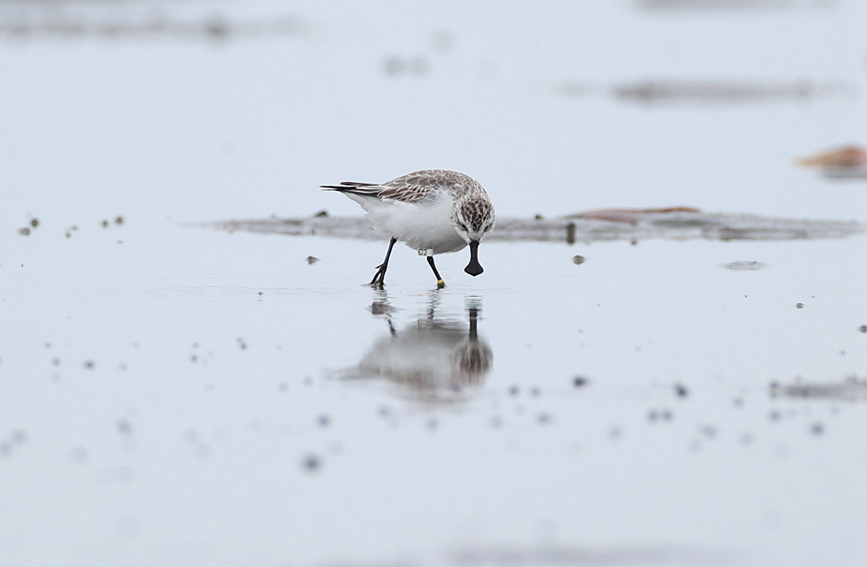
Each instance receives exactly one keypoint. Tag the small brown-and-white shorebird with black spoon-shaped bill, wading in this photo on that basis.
(434, 211)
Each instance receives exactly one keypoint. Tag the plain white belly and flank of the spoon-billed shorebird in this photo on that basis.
(425, 226)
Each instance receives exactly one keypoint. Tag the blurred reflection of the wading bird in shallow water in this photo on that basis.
(436, 360)
